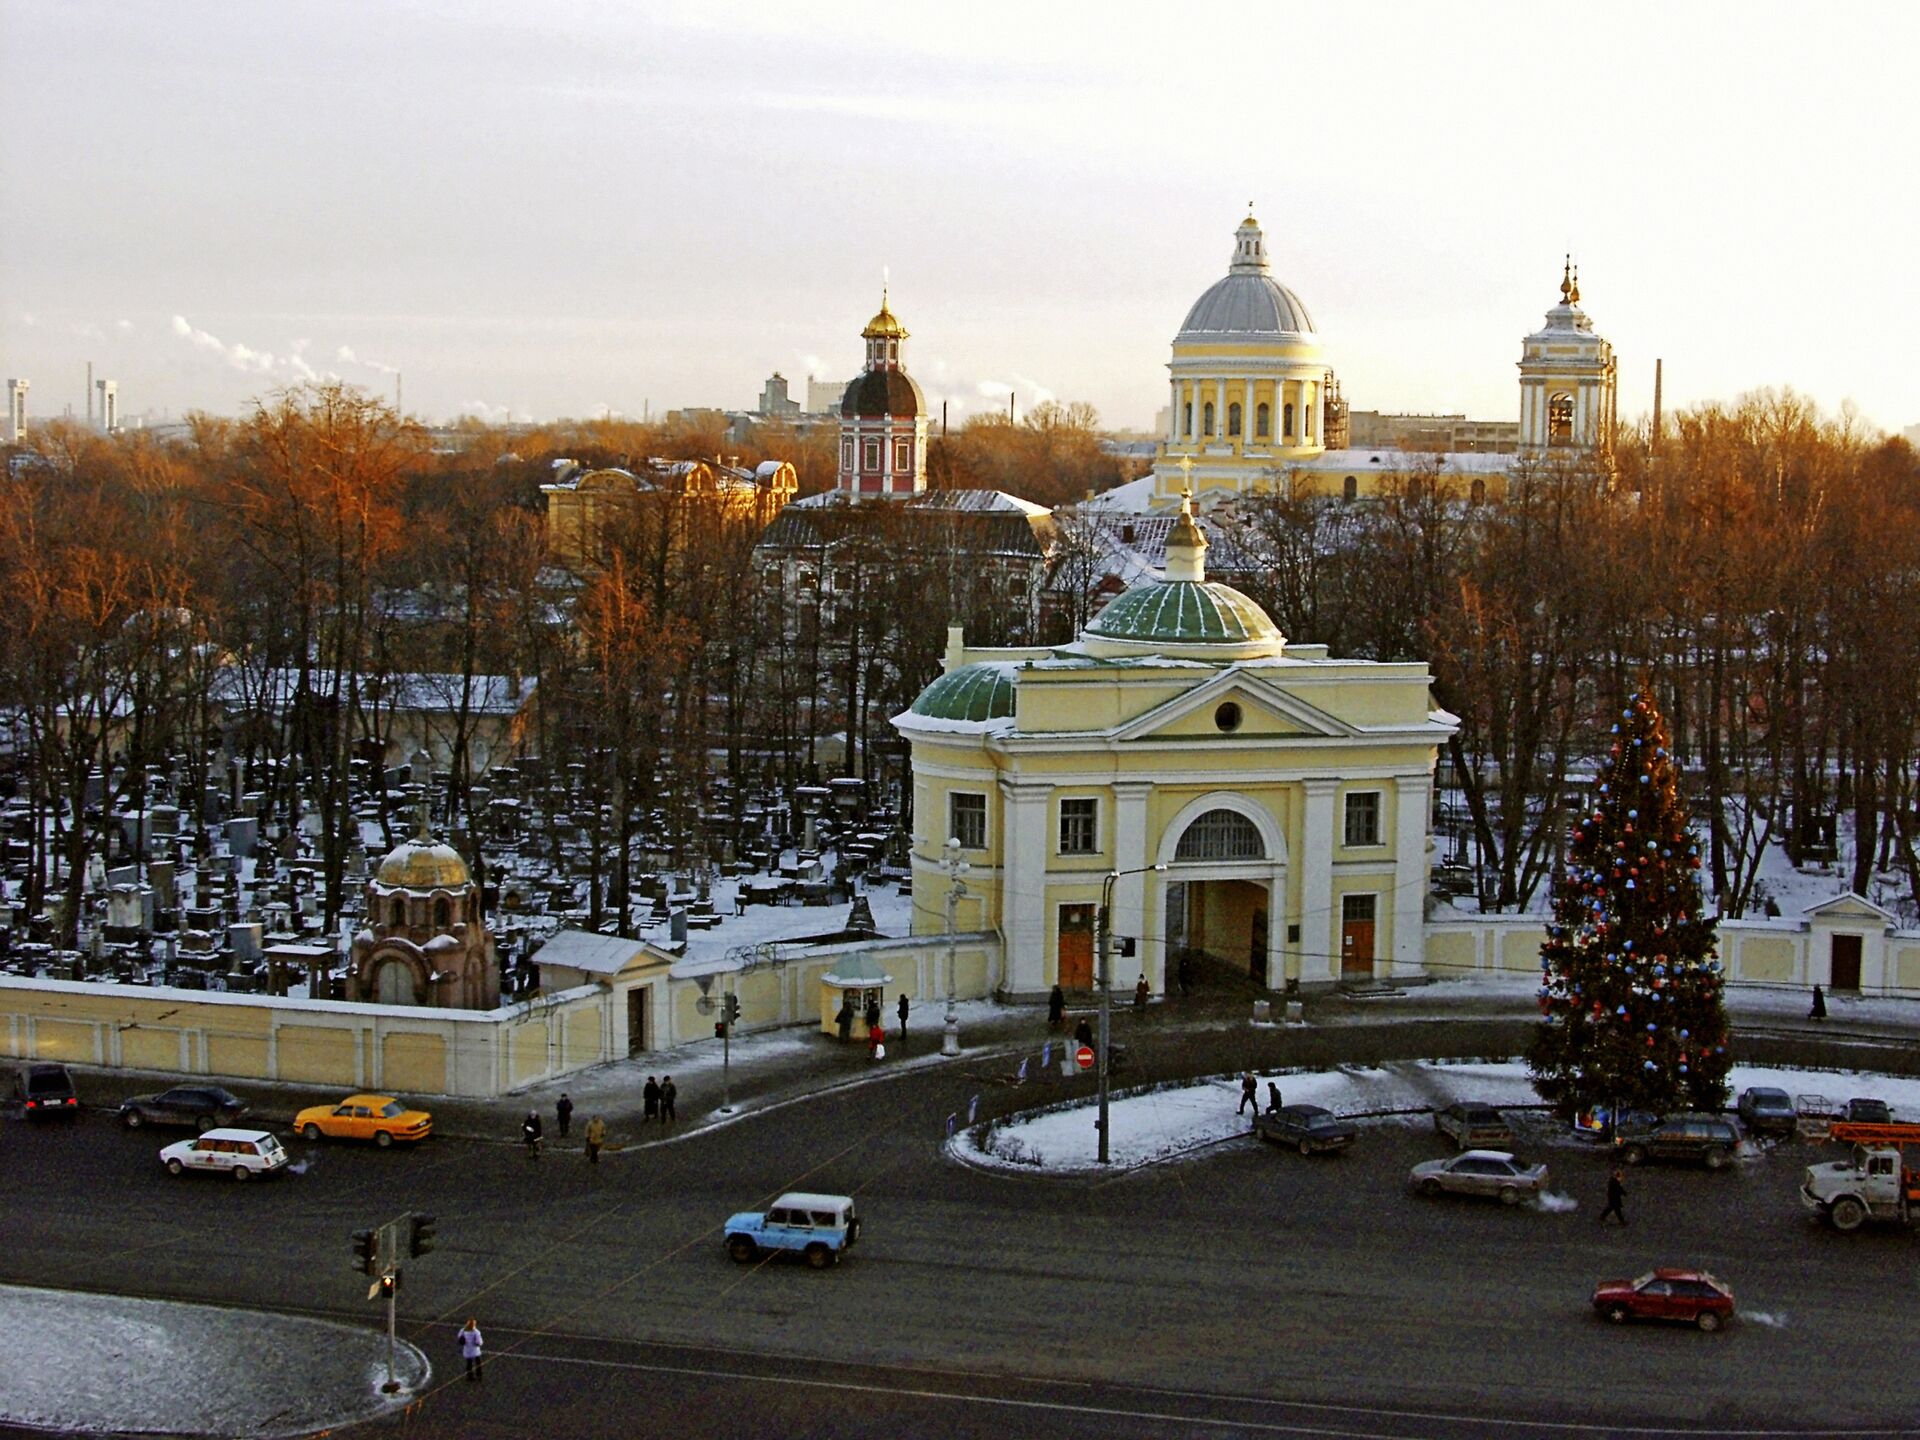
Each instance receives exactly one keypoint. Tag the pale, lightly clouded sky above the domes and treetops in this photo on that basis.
(571, 210)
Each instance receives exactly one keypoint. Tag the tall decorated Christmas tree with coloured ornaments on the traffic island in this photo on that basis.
(1631, 988)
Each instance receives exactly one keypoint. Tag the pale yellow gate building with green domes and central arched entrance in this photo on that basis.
(1266, 805)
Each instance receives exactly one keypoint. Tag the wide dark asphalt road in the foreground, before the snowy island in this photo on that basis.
(1243, 1293)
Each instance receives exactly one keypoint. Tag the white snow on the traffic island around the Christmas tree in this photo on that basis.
(1182, 1122)
